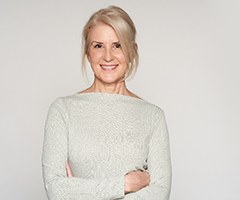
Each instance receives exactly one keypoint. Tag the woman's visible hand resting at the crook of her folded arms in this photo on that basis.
(136, 180)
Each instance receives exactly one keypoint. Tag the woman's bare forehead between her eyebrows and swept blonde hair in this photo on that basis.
(102, 33)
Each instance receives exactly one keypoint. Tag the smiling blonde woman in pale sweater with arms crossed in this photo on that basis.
(105, 142)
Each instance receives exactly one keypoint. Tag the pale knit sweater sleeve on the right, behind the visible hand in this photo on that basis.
(159, 164)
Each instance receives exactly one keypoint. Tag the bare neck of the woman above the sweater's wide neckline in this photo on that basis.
(118, 87)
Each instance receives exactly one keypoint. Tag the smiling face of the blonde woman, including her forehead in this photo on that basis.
(105, 54)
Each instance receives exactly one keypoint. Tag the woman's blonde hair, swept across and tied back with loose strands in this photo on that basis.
(124, 27)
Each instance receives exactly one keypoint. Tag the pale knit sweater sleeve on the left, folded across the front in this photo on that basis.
(54, 158)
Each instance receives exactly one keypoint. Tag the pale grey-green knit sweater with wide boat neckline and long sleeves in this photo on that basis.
(103, 136)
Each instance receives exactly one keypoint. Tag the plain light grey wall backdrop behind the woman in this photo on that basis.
(189, 66)
